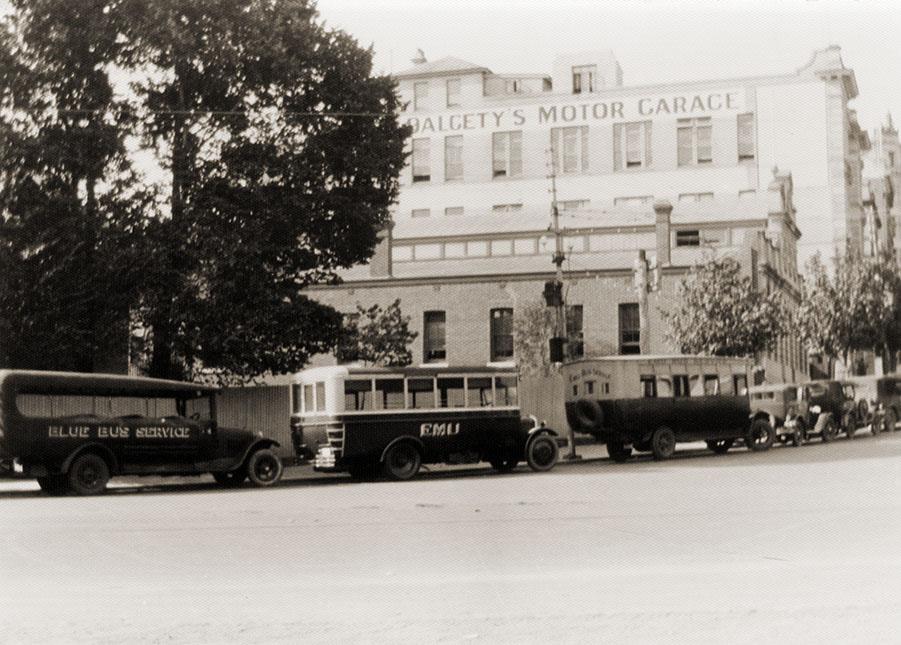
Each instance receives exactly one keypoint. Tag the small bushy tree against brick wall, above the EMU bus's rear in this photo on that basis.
(377, 336)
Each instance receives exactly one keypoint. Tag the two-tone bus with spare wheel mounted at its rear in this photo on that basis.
(649, 403)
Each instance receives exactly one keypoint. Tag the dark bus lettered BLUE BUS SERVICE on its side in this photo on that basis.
(72, 432)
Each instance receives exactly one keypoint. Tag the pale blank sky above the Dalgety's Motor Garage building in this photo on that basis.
(654, 41)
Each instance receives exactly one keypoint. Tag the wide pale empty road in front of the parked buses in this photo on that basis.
(793, 545)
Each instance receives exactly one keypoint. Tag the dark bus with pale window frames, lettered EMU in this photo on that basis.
(367, 421)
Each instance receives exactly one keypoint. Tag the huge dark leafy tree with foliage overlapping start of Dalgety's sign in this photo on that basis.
(281, 153)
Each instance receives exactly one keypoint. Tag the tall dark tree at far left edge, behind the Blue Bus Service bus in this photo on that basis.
(68, 215)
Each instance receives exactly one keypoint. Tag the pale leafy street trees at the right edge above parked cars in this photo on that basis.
(855, 308)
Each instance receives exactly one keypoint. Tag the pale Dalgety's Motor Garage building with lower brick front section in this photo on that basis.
(766, 169)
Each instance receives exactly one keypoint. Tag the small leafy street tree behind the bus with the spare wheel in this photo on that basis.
(720, 313)
